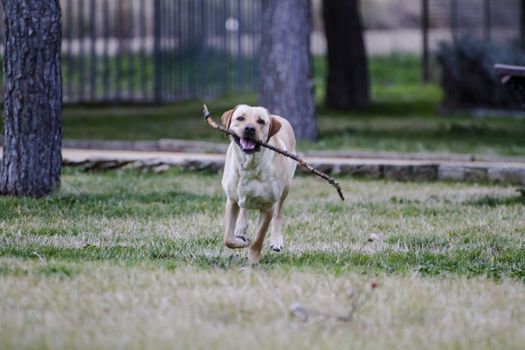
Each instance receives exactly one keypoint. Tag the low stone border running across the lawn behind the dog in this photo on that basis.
(511, 173)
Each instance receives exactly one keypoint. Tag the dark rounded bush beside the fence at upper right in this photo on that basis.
(468, 78)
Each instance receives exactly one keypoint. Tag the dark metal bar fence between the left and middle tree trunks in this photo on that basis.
(158, 50)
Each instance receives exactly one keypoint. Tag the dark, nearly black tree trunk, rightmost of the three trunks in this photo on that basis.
(347, 85)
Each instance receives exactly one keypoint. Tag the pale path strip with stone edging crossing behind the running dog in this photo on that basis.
(497, 170)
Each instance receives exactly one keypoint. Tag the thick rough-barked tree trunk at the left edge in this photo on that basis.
(33, 97)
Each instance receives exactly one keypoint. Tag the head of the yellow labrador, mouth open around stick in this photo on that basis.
(252, 125)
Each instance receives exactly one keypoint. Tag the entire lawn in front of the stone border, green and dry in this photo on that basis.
(135, 260)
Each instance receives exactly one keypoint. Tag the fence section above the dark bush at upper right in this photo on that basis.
(498, 21)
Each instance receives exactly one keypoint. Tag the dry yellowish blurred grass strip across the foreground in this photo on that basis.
(102, 305)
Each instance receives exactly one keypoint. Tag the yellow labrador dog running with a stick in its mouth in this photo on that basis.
(256, 178)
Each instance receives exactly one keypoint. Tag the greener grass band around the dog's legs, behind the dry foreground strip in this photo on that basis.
(151, 218)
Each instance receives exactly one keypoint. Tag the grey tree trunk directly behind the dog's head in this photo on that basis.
(287, 87)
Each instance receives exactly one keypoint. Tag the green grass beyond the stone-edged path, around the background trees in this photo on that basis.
(402, 118)
